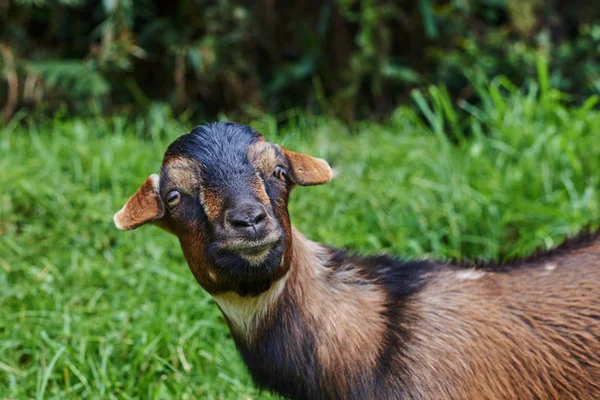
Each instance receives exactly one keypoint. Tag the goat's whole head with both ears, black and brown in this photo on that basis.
(223, 191)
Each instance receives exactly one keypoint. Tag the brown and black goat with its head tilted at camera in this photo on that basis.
(314, 322)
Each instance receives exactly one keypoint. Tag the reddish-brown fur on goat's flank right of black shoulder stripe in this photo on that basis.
(533, 333)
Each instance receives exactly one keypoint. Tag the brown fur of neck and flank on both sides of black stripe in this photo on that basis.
(530, 333)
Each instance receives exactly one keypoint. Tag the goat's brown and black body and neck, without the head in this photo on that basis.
(377, 328)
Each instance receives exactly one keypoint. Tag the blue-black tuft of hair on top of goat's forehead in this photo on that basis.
(222, 142)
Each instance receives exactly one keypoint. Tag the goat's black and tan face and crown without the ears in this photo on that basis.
(227, 180)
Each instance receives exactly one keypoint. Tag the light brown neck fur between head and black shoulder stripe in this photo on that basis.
(350, 324)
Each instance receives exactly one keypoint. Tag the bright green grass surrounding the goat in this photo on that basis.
(87, 311)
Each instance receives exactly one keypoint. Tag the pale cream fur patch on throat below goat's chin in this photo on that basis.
(246, 313)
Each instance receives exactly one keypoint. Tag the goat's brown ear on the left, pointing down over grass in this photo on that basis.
(144, 206)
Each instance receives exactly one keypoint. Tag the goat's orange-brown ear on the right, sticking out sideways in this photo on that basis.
(306, 170)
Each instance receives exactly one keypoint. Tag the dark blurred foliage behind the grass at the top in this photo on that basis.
(350, 58)
